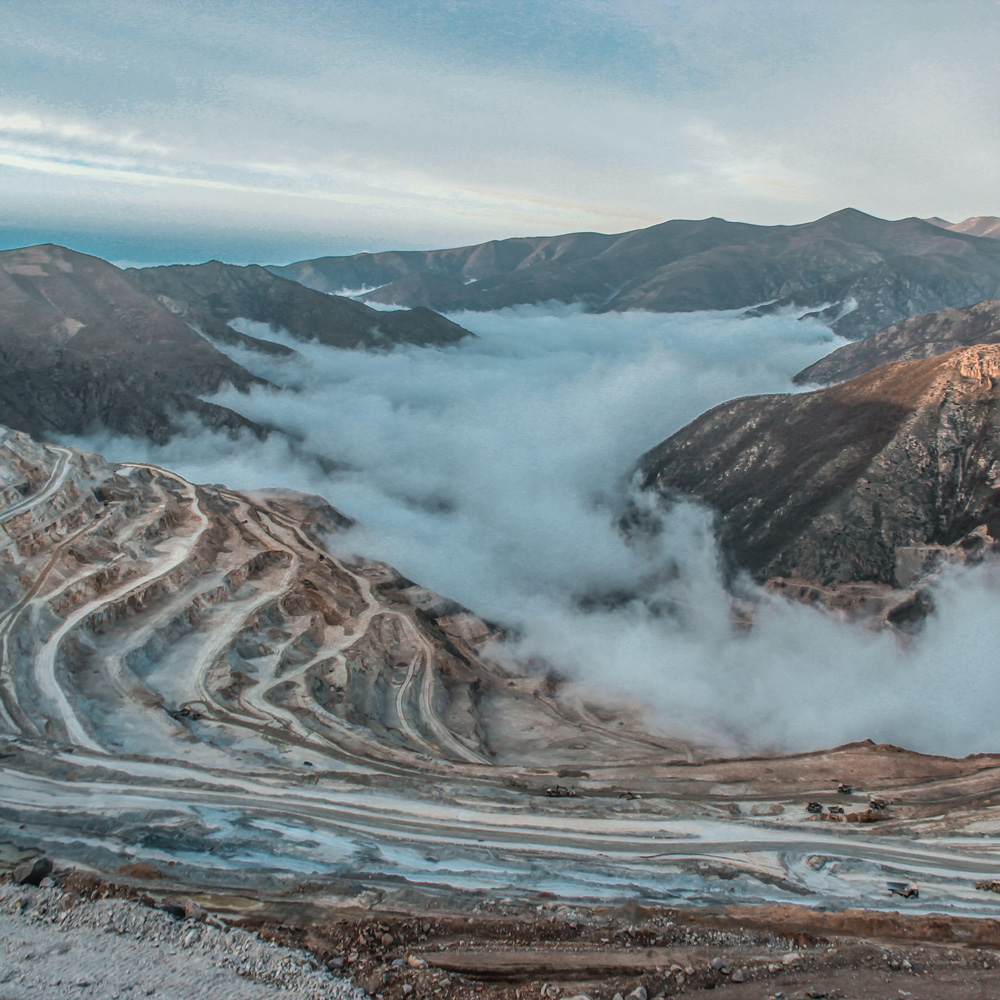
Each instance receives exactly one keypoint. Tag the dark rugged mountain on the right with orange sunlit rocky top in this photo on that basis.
(864, 481)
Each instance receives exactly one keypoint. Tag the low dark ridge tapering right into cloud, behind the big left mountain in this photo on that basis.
(213, 295)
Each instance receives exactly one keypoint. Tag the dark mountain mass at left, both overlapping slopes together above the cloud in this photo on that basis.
(87, 346)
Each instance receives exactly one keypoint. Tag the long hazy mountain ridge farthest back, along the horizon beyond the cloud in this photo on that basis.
(858, 272)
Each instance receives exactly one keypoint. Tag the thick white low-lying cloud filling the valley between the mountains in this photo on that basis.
(493, 471)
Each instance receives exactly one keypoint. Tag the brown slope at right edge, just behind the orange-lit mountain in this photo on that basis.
(923, 336)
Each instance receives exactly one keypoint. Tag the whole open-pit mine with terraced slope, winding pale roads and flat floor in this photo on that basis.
(194, 686)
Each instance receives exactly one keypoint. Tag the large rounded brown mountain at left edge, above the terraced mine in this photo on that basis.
(82, 348)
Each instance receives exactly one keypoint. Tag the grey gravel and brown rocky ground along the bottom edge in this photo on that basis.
(80, 936)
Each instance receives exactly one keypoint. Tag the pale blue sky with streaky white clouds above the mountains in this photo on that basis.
(153, 132)
